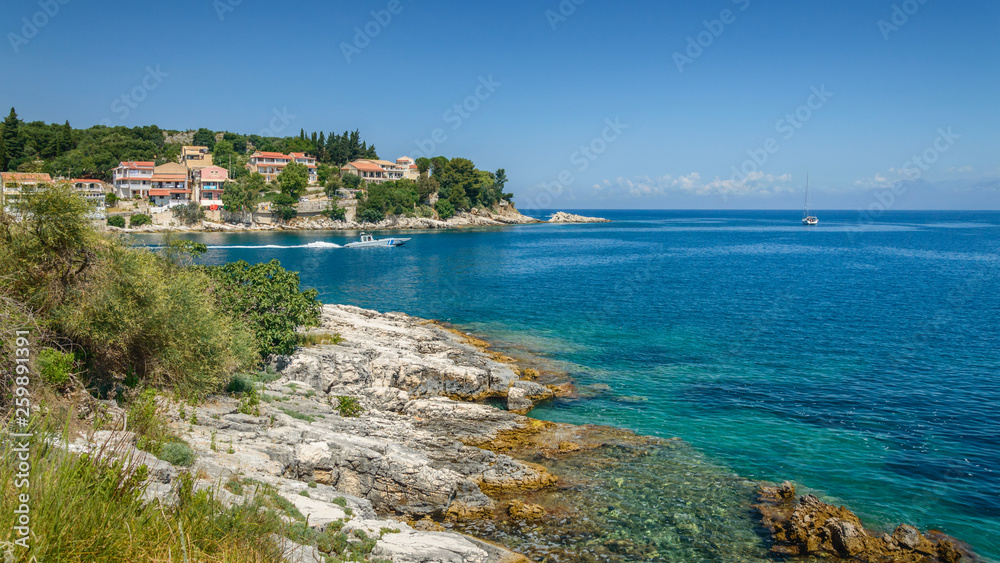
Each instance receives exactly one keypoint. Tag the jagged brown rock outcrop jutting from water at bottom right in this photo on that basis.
(806, 526)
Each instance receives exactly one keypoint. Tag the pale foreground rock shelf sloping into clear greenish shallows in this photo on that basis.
(428, 455)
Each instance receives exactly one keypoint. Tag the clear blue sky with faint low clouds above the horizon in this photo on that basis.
(587, 104)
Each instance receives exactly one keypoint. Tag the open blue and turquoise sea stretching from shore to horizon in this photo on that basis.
(859, 359)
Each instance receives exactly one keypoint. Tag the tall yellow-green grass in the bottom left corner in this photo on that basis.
(85, 508)
